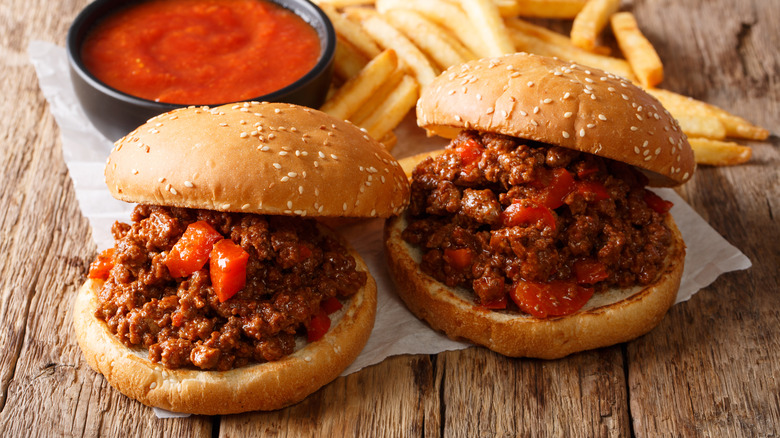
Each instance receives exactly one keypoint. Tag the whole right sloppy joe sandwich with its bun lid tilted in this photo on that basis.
(534, 233)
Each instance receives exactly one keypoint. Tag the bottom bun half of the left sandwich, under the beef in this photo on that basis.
(264, 386)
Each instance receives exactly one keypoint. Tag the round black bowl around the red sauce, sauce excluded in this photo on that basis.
(115, 113)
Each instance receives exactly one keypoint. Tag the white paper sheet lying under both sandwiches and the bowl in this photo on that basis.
(396, 330)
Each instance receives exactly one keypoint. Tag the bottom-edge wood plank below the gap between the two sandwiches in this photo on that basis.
(398, 397)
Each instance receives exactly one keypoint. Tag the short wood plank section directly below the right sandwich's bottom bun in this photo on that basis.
(486, 394)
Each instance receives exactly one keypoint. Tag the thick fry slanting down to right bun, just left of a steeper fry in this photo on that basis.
(429, 37)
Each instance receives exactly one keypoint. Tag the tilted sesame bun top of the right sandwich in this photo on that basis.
(559, 103)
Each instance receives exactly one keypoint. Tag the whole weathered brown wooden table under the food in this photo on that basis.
(712, 367)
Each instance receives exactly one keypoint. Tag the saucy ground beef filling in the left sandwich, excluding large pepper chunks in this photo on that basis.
(284, 288)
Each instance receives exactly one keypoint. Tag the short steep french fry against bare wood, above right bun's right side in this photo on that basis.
(639, 52)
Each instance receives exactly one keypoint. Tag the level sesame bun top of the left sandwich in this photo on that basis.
(267, 158)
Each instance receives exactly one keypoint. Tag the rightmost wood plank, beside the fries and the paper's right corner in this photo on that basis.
(712, 368)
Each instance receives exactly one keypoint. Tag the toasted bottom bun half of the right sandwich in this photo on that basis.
(611, 317)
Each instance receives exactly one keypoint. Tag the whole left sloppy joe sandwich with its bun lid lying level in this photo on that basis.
(223, 294)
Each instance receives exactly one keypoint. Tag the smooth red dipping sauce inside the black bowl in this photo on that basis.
(201, 51)
